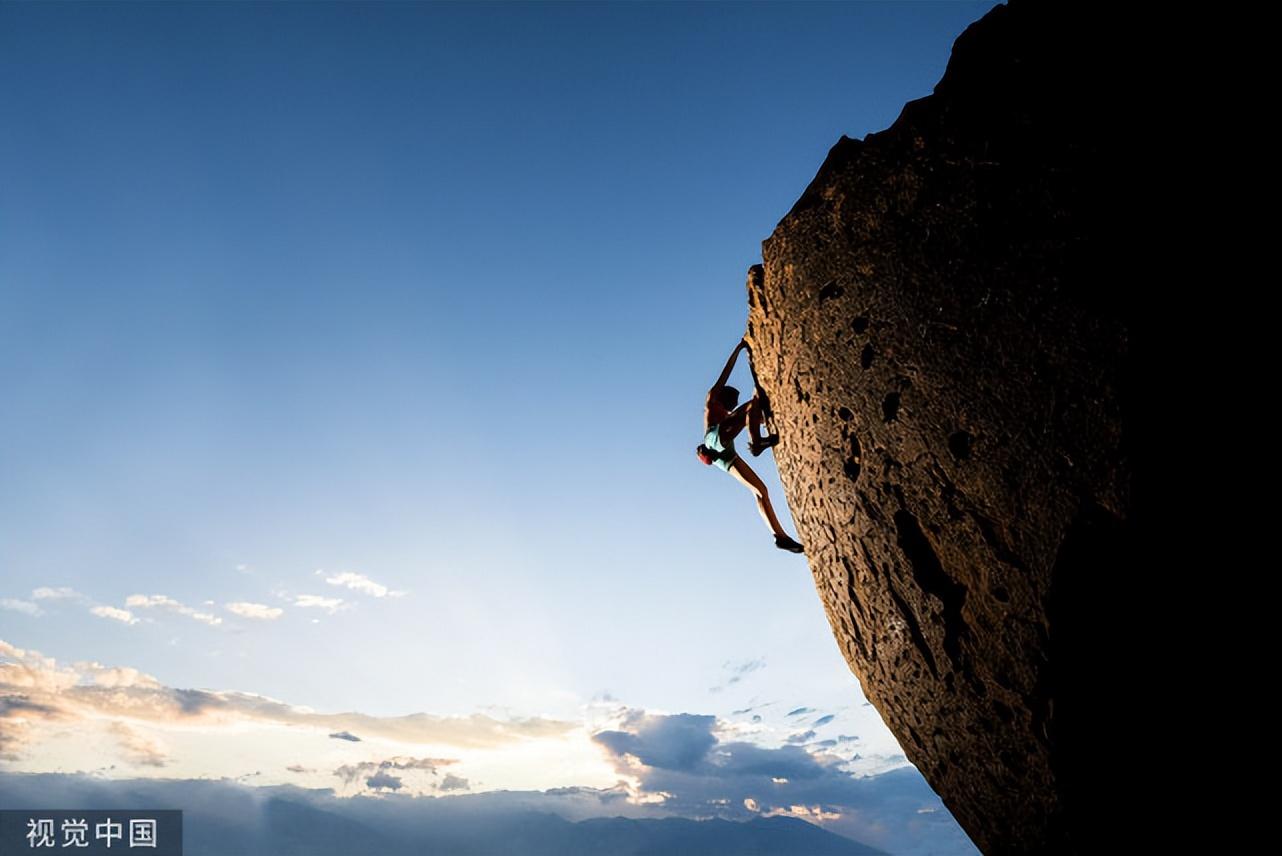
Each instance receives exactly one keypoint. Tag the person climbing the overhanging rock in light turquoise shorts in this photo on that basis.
(724, 420)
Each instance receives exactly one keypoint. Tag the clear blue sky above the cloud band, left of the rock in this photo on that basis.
(413, 307)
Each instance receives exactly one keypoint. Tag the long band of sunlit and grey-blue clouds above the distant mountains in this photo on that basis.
(615, 762)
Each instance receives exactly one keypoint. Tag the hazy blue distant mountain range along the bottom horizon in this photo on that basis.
(229, 819)
